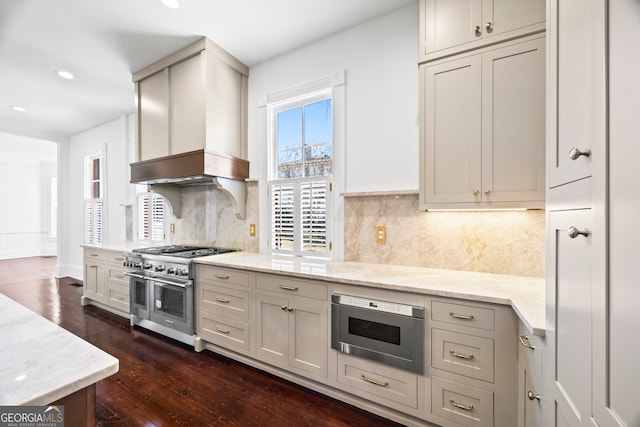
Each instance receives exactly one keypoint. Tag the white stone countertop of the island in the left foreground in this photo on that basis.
(41, 362)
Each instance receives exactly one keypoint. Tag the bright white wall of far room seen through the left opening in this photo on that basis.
(26, 168)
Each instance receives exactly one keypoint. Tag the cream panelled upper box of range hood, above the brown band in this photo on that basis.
(195, 98)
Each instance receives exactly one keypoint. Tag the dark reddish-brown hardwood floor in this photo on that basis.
(162, 382)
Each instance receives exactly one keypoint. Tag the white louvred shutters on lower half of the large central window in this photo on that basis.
(299, 216)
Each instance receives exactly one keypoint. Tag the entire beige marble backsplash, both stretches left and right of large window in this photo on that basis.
(500, 242)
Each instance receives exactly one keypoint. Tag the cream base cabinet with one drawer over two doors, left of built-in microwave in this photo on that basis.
(292, 324)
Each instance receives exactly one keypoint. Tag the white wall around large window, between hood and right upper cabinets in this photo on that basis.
(380, 61)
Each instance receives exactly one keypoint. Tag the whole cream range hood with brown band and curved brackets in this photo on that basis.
(191, 124)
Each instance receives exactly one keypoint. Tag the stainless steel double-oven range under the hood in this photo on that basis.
(161, 282)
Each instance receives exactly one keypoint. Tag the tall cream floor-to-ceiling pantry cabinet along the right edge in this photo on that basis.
(592, 205)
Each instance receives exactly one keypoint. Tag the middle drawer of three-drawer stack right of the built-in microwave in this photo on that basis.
(462, 354)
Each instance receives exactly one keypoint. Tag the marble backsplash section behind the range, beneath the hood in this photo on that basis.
(208, 218)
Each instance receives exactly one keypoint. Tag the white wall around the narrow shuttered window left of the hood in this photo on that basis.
(113, 137)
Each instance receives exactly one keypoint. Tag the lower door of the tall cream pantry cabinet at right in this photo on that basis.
(569, 288)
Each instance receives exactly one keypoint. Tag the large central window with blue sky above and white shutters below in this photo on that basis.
(300, 185)
